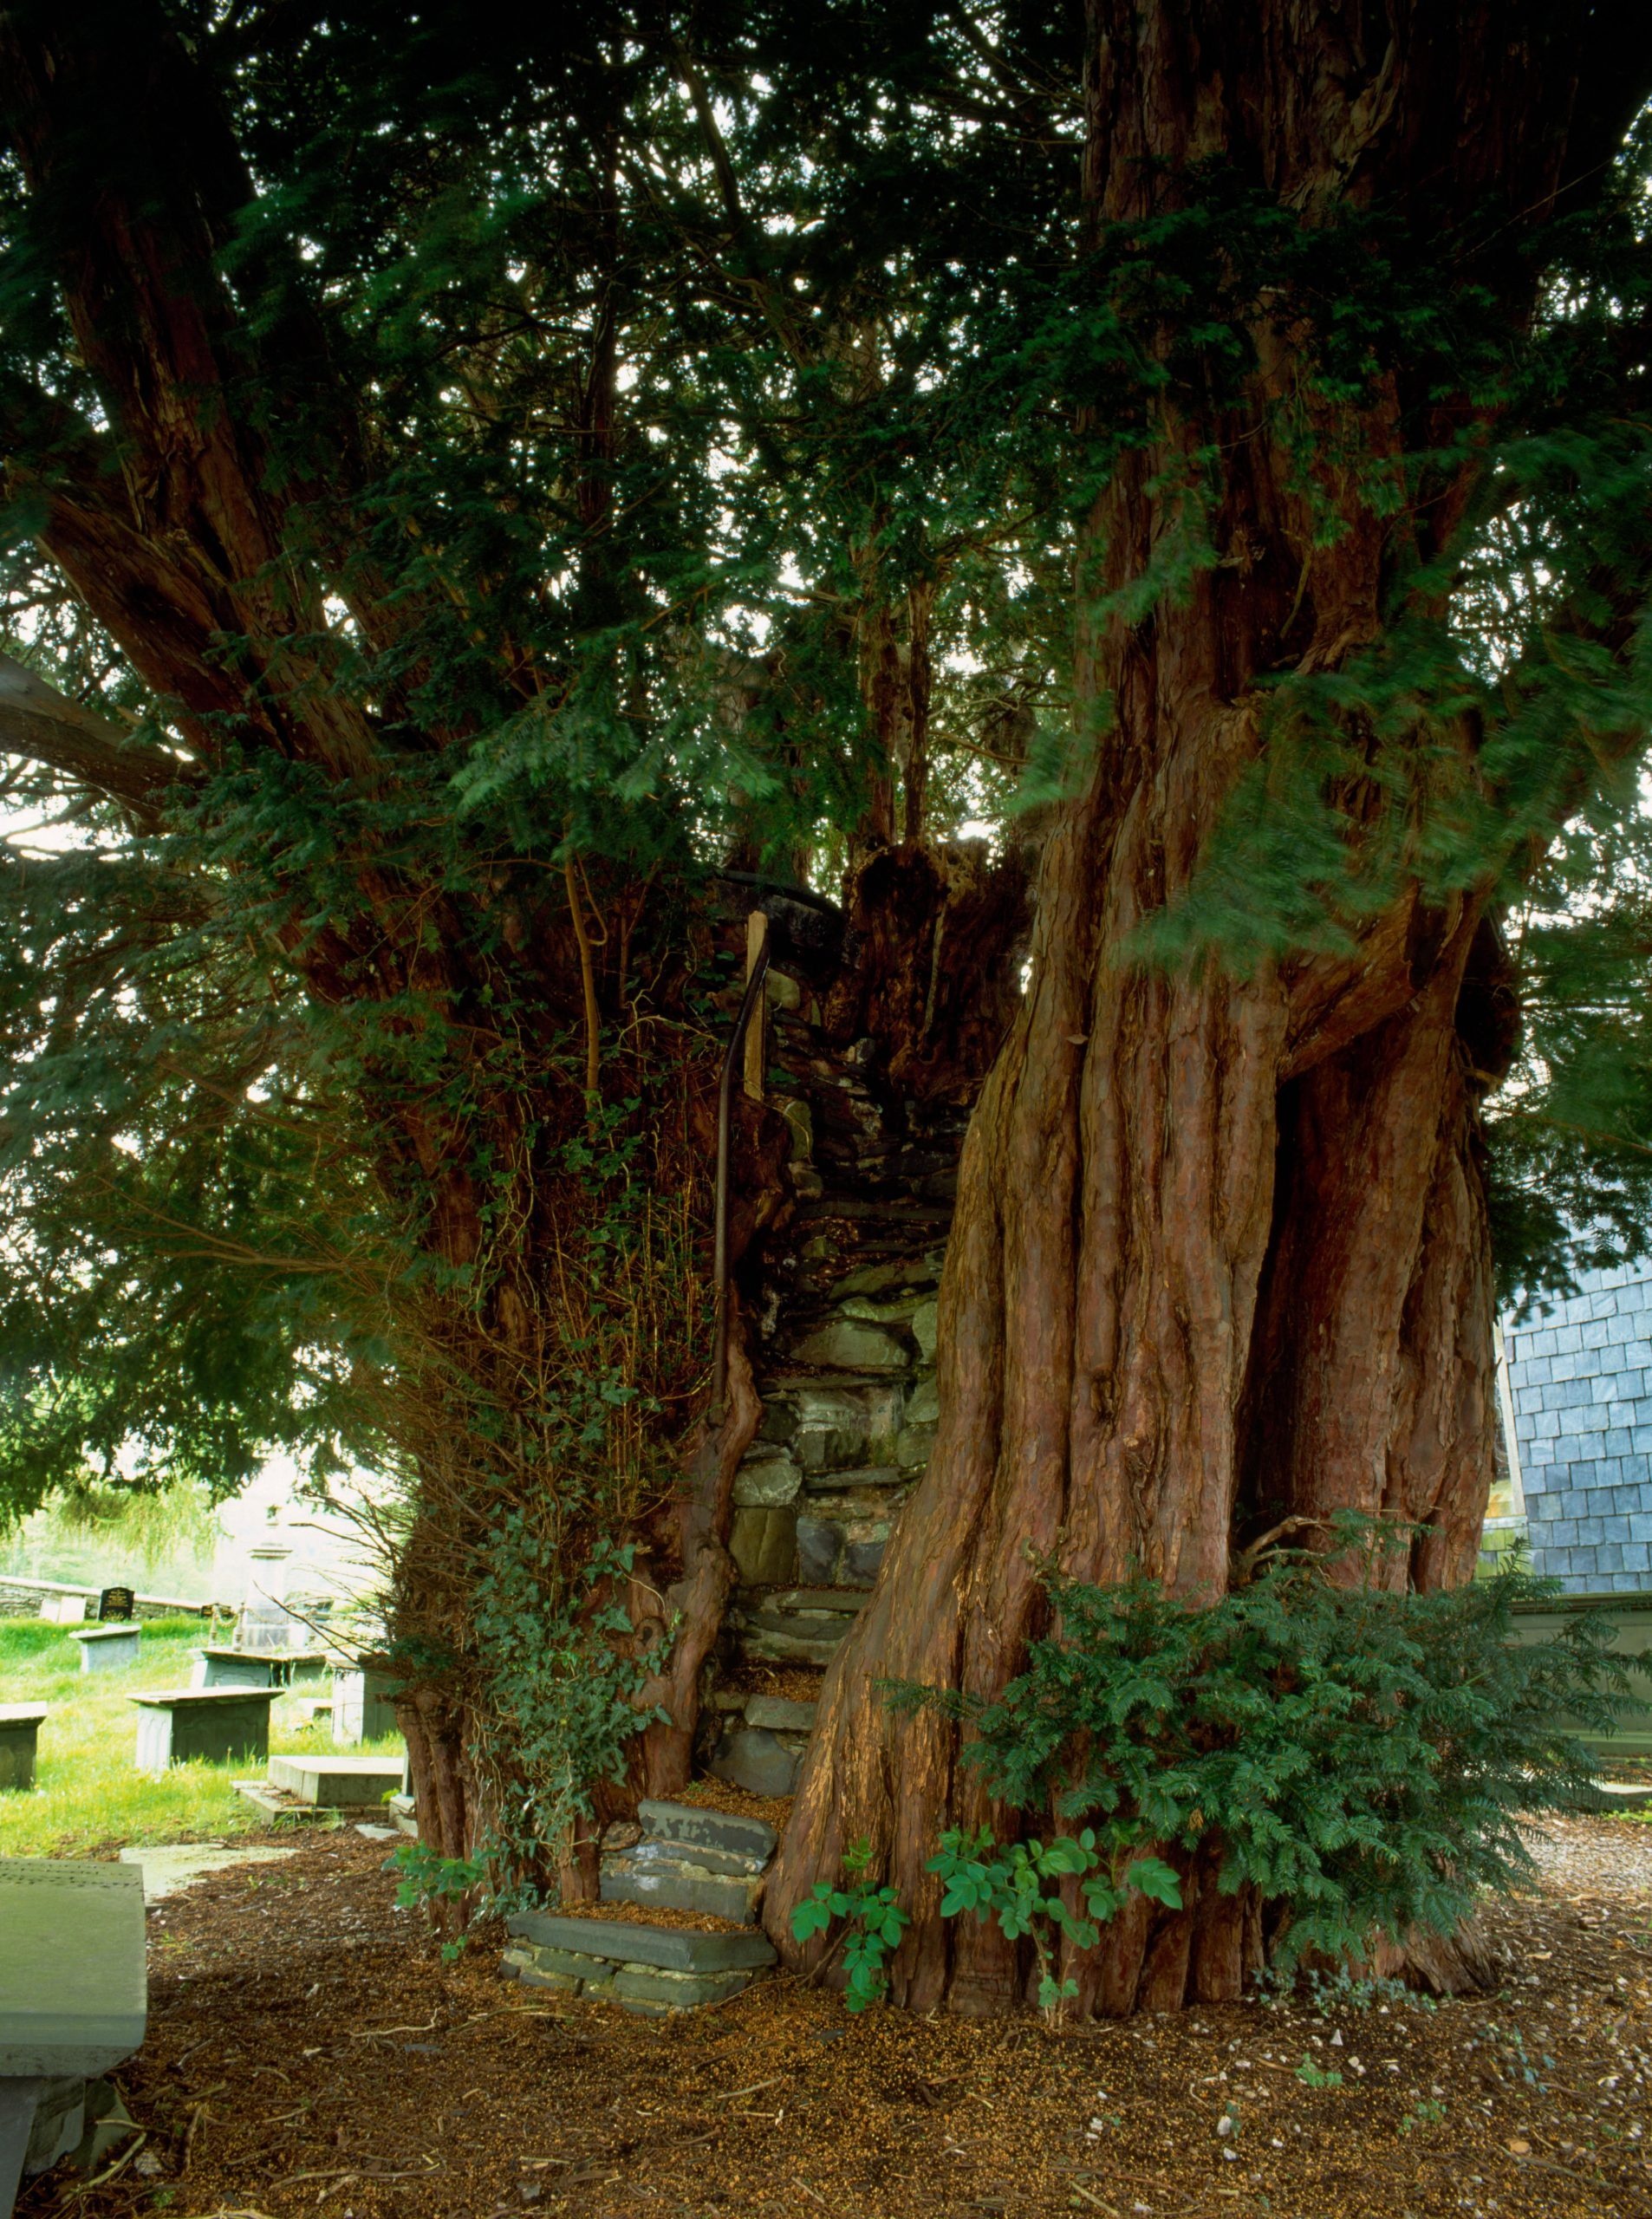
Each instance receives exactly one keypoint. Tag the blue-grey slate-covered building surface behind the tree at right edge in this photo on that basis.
(1582, 1392)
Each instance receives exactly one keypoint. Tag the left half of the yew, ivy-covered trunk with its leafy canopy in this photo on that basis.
(429, 478)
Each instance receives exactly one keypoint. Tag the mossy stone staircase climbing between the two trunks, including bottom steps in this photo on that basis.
(846, 1375)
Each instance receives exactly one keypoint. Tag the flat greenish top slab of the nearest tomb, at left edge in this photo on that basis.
(72, 1972)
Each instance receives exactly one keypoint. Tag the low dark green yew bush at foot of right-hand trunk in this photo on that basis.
(1360, 1759)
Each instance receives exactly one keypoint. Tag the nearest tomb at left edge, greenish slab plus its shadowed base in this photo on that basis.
(72, 2000)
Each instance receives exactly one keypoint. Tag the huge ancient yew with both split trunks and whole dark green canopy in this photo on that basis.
(482, 498)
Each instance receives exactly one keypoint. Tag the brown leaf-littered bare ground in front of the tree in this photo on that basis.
(312, 2054)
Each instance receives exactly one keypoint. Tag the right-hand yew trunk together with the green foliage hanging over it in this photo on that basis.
(1365, 465)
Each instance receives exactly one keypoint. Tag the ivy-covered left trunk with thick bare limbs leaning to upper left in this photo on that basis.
(518, 1259)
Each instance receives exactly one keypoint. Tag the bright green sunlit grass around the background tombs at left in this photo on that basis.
(88, 1792)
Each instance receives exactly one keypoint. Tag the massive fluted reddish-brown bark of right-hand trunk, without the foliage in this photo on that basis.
(1221, 1250)
